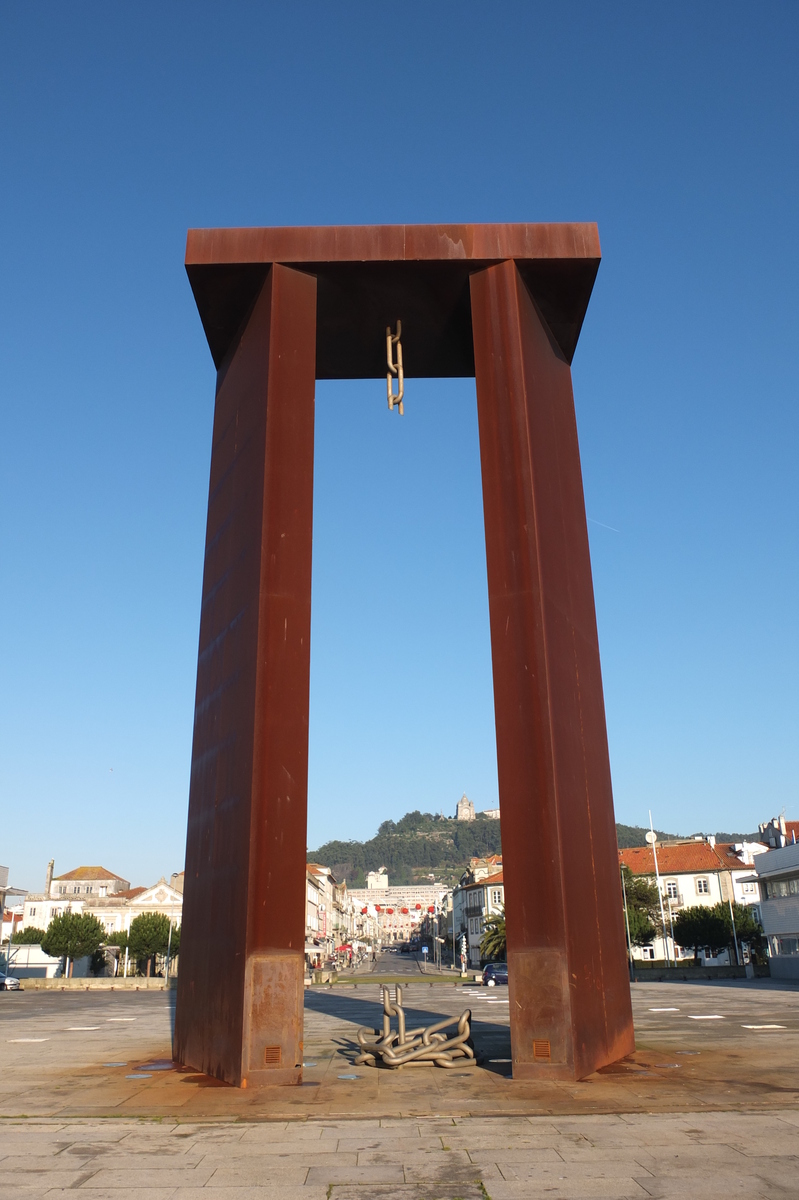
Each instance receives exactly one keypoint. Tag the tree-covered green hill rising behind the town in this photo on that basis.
(422, 843)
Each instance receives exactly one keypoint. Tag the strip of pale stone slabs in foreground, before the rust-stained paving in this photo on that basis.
(501, 1159)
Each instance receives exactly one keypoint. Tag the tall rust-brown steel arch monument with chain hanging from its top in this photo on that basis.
(283, 308)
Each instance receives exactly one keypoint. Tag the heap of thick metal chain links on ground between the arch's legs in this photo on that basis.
(414, 1048)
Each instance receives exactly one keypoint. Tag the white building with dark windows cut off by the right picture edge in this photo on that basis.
(778, 878)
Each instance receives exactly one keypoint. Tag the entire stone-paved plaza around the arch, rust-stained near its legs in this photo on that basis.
(707, 1107)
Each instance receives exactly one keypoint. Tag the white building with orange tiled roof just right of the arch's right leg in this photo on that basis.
(695, 872)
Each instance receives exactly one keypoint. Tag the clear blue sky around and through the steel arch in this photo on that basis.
(672, 125)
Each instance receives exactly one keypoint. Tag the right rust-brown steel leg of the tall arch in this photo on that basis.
(569, 993)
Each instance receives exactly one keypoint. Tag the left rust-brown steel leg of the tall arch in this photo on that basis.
(243, 943)
